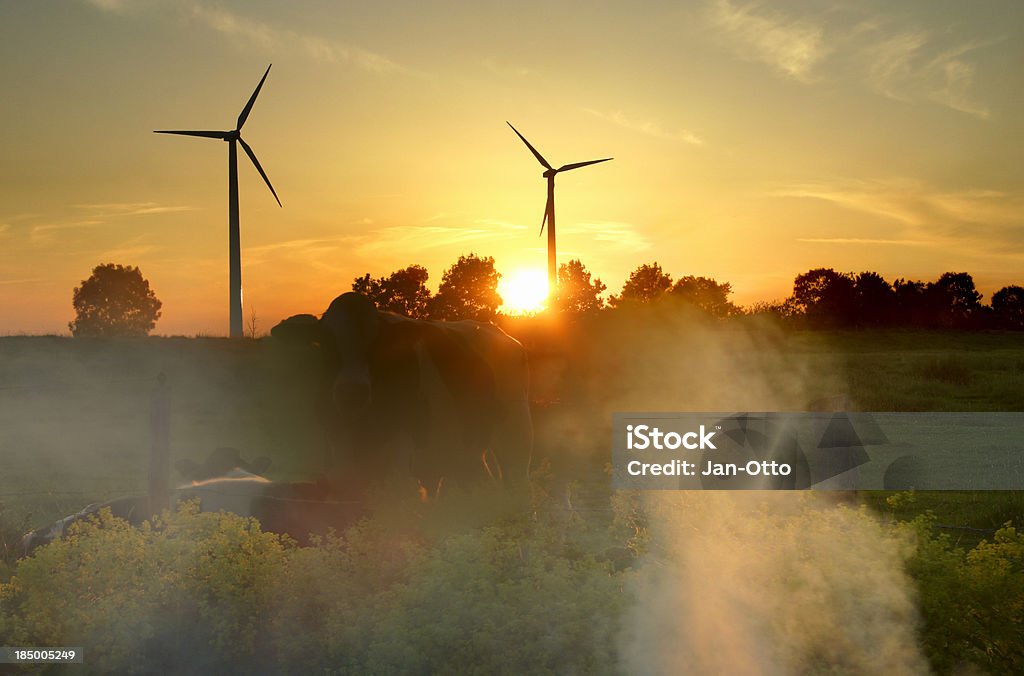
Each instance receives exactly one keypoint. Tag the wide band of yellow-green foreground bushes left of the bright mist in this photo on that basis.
(402, 593)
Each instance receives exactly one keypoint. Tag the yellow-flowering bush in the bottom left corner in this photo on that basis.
(189, 591)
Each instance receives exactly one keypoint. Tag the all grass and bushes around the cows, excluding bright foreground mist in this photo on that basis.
(545, 590)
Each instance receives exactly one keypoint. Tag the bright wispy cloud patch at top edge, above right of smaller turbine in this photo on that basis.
(792, 46)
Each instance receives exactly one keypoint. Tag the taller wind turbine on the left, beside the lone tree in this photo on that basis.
(234, 139)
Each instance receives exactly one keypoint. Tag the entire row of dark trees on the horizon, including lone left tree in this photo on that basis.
(118, 301)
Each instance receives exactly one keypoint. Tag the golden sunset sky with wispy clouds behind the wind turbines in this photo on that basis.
(753, 142)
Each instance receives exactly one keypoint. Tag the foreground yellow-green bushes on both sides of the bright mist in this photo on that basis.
(418, 590)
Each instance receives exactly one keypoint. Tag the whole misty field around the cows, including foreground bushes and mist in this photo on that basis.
(545, 589)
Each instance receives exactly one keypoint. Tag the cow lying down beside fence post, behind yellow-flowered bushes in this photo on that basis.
(296, 510)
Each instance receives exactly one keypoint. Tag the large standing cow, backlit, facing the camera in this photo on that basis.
(447, 401)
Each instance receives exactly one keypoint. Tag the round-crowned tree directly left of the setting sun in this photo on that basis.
(468, 291)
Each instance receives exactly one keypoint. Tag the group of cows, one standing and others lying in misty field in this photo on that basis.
(443, 403)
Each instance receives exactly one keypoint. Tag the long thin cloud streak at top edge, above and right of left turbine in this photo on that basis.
(266, 36)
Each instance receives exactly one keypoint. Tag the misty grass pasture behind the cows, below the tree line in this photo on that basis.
(75, 413)
